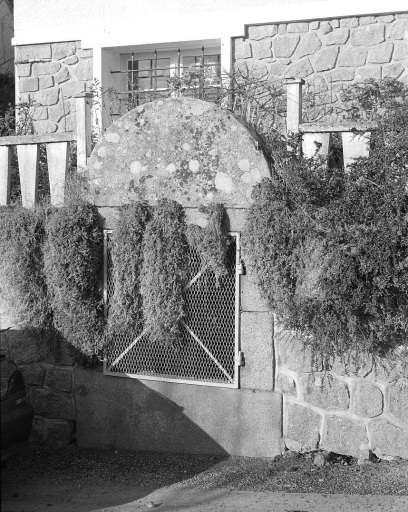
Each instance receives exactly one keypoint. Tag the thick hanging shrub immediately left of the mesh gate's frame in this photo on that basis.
(73, 258)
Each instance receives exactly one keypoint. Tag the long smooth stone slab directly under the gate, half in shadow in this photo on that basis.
(164, 416)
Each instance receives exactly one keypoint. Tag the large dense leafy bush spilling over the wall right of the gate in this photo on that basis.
(330, 248)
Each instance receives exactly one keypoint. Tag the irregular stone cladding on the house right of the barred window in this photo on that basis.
(331, 51)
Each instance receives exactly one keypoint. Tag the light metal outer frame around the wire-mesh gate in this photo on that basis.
(237, 331)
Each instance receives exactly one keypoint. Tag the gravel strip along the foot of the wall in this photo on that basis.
(156, 470)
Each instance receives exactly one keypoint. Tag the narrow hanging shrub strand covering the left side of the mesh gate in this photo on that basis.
(125, 306)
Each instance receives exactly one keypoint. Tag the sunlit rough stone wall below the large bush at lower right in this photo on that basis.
(352, 411)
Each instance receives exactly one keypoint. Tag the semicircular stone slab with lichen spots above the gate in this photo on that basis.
(184, 149)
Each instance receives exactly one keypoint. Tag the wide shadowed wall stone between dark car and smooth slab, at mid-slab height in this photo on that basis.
(52, 404)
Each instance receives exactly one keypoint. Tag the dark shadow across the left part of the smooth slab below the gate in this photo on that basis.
(126, 414)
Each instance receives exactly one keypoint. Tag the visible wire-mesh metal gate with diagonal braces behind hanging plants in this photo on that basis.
(208, 351)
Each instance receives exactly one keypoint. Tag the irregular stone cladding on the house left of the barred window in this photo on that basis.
(51, 74)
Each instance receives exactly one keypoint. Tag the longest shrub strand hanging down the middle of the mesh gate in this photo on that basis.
(164, 272)
